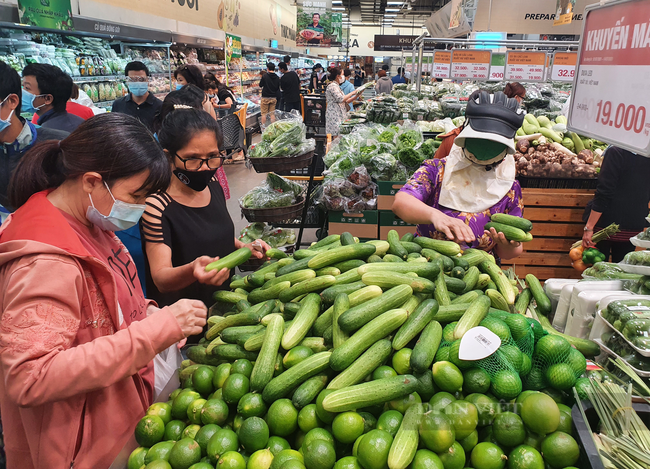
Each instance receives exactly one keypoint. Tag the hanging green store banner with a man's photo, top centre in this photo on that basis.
(318, 25)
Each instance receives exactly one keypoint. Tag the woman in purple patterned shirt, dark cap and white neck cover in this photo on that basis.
(453, 198)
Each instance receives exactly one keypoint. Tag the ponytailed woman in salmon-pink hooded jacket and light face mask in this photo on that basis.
(77, 337)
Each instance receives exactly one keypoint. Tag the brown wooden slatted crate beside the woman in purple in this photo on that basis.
(557, 224)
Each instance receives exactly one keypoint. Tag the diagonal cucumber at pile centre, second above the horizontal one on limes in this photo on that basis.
(361, 340)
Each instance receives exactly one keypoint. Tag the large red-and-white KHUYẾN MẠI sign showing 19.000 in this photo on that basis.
(611, 89)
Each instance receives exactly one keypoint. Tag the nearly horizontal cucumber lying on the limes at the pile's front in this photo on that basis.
(368, 394)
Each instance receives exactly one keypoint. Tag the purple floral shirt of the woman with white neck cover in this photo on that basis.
(425, 185)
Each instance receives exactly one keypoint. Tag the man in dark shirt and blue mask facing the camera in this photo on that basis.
(140, 102)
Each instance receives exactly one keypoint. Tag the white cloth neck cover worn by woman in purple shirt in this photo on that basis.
(468, 187)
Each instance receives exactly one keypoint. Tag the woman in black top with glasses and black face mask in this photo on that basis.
(186, 226)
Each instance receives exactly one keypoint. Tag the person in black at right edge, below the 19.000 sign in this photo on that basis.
(622, 197)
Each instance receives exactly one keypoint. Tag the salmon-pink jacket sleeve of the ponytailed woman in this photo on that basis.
(41, 317)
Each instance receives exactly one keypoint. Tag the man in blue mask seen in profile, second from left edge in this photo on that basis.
(46, 91)
